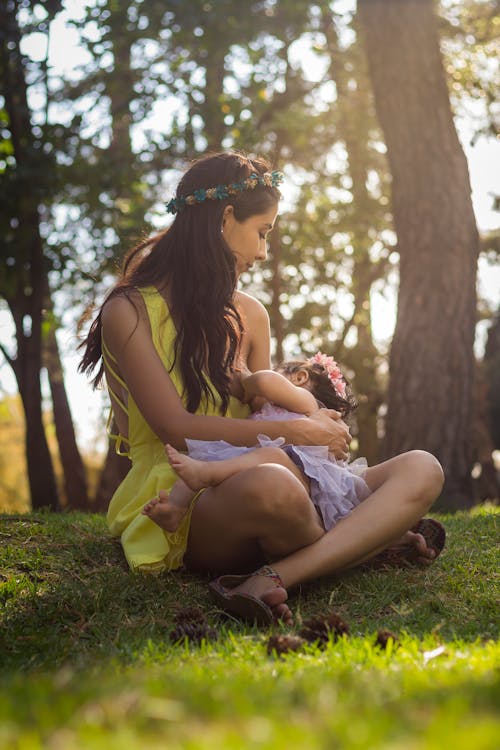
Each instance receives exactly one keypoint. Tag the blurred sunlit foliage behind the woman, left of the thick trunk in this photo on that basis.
(159, 82)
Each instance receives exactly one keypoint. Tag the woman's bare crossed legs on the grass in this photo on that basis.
(404, 488)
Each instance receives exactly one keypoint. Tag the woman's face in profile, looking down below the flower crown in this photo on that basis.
(247, 239)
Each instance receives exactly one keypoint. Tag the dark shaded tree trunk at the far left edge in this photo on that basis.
(23, 282)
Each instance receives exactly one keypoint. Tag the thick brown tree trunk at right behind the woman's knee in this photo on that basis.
(432, 360)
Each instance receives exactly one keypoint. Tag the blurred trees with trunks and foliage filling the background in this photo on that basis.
(90, 150)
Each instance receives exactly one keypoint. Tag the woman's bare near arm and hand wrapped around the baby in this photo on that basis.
(127, 333)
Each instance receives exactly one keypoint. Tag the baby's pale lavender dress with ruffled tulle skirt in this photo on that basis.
(336, 487)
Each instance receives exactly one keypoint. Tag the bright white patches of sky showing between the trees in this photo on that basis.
(87, 406)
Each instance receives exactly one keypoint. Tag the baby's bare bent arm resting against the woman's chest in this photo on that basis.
(276, 388)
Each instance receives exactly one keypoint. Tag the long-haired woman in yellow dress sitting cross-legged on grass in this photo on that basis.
(170, 334)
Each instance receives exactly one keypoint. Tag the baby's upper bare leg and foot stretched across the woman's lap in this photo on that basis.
(199, 474)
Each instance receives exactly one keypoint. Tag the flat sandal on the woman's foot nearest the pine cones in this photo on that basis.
(244, 606)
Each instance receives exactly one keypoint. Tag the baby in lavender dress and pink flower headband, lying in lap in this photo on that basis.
(294, 390)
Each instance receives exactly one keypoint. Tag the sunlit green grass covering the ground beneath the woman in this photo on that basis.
(87, 661)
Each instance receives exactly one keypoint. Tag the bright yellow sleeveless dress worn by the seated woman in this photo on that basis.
(146, 545)
